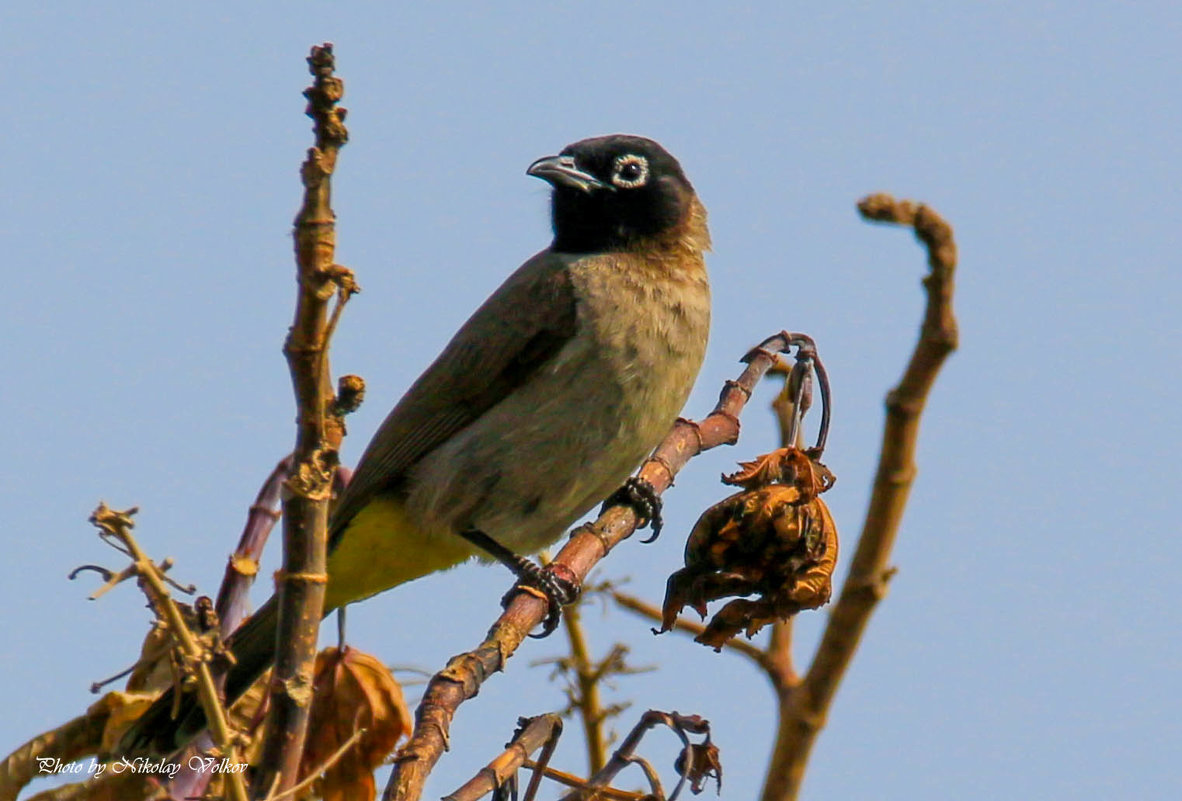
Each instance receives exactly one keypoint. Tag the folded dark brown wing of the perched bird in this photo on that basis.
(521, 328)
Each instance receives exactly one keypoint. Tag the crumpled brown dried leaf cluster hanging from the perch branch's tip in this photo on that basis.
(776, 540)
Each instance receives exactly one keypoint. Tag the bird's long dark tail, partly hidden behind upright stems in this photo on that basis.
(159, 733)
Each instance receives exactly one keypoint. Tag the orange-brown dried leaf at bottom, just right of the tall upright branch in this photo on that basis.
(354, 691)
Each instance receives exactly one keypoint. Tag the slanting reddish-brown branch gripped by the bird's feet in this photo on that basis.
(588, 545)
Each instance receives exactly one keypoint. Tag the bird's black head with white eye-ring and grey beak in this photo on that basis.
(614, 193)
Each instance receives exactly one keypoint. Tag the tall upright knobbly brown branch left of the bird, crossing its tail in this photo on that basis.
(309, 489)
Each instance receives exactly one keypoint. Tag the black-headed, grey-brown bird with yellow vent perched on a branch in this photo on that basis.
(541, 407)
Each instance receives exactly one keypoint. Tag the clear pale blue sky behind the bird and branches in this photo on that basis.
(1030, 643)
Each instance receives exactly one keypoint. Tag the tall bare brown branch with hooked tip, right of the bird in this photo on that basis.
(803, 709)
